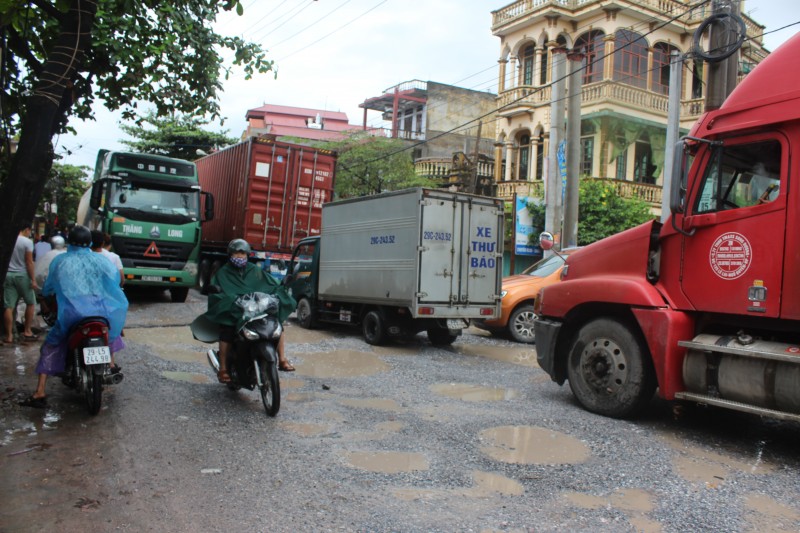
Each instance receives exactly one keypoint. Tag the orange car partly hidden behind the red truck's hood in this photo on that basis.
(519, 291)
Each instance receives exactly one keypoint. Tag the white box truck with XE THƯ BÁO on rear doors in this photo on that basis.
(402, 262)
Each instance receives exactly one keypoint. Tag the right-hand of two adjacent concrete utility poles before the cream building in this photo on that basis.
(570, 237)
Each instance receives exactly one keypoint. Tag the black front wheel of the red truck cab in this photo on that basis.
(609, 369)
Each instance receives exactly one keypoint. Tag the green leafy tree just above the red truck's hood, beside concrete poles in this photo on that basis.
(603, 212)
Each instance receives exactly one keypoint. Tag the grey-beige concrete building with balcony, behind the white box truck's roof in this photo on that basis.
(438, 121)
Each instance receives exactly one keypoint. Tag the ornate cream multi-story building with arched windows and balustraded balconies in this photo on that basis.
(626, 47)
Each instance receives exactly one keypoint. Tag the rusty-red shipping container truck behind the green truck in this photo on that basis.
(269, 193)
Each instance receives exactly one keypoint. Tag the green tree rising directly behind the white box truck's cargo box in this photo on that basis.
(370, 165)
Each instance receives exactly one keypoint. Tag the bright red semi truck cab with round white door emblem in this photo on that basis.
(706, 307)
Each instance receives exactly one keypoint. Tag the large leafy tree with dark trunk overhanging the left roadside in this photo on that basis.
(61, 55)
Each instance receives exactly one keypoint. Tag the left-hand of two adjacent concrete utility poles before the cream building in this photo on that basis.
(553, 191)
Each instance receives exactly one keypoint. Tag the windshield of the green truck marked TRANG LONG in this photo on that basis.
(153, 204)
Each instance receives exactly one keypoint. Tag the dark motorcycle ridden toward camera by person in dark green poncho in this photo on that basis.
(253, 359)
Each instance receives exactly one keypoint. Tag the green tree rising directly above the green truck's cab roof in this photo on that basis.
(179, 136)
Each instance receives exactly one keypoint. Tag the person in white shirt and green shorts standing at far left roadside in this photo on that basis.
(20, 283)
